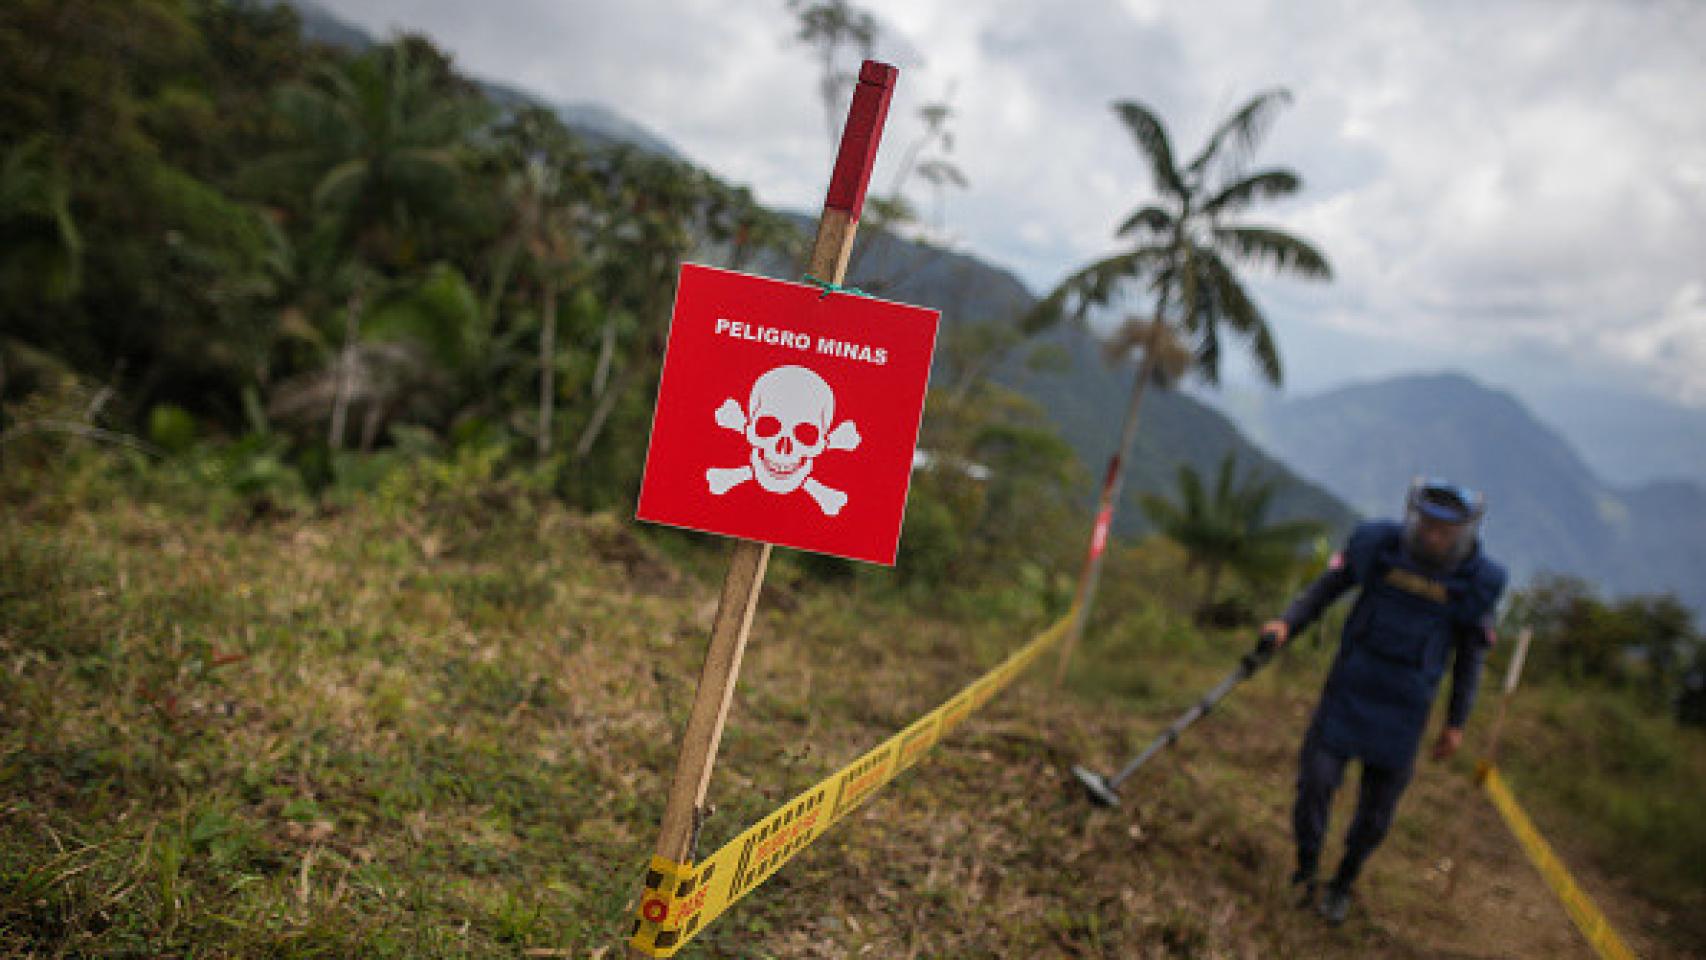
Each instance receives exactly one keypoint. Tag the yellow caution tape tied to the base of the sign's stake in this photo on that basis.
(683, 899)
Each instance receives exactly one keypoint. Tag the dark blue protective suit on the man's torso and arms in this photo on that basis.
(1408, 625)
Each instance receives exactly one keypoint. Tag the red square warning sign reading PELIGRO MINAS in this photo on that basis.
(787, 415)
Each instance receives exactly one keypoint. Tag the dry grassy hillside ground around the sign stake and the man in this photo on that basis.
(438, 719)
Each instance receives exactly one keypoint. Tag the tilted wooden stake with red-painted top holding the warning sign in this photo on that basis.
(685, 809)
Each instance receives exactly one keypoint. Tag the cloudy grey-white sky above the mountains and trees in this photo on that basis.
(1509, 188)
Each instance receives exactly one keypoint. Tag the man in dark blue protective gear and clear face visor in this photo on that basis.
(1429, 596)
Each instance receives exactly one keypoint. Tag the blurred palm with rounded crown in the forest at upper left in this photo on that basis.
(380, 142)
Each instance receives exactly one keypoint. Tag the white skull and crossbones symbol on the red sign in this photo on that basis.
(787, 422)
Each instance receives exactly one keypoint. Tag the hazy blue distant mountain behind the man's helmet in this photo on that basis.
(1546, 509)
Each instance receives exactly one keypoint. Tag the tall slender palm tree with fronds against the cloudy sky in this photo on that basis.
(1185, 248)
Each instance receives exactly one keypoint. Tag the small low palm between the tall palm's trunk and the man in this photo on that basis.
(1227, 528)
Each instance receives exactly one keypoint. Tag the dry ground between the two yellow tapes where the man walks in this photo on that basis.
(989, 850)
